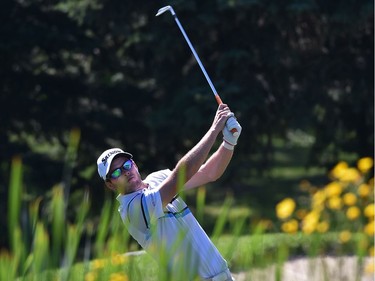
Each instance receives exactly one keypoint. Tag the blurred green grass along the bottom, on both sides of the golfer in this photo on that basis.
(63, 250)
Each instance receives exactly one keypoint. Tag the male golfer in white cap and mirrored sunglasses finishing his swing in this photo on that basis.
(158, 218)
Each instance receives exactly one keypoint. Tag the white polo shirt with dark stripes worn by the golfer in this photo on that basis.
(172, 234)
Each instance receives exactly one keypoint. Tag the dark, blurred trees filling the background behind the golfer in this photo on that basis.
(300, 72)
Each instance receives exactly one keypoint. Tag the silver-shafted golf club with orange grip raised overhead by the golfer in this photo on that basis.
(217, 97)
